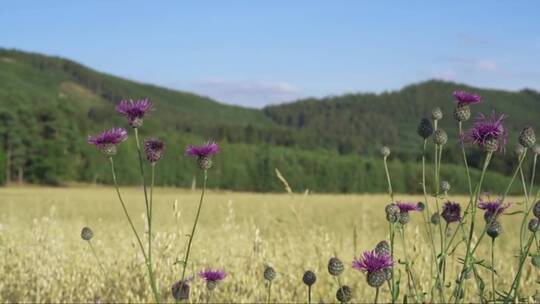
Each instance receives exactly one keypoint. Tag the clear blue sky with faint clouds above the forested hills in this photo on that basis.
(254, 53)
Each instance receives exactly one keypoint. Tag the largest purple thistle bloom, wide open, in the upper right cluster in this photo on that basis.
(488, 130)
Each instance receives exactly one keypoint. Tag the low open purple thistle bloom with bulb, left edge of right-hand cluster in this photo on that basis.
(374, 265)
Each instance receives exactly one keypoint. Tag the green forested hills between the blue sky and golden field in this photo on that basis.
(49, 105)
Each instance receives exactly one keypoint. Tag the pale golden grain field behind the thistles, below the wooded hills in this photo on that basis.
(43, 258)
